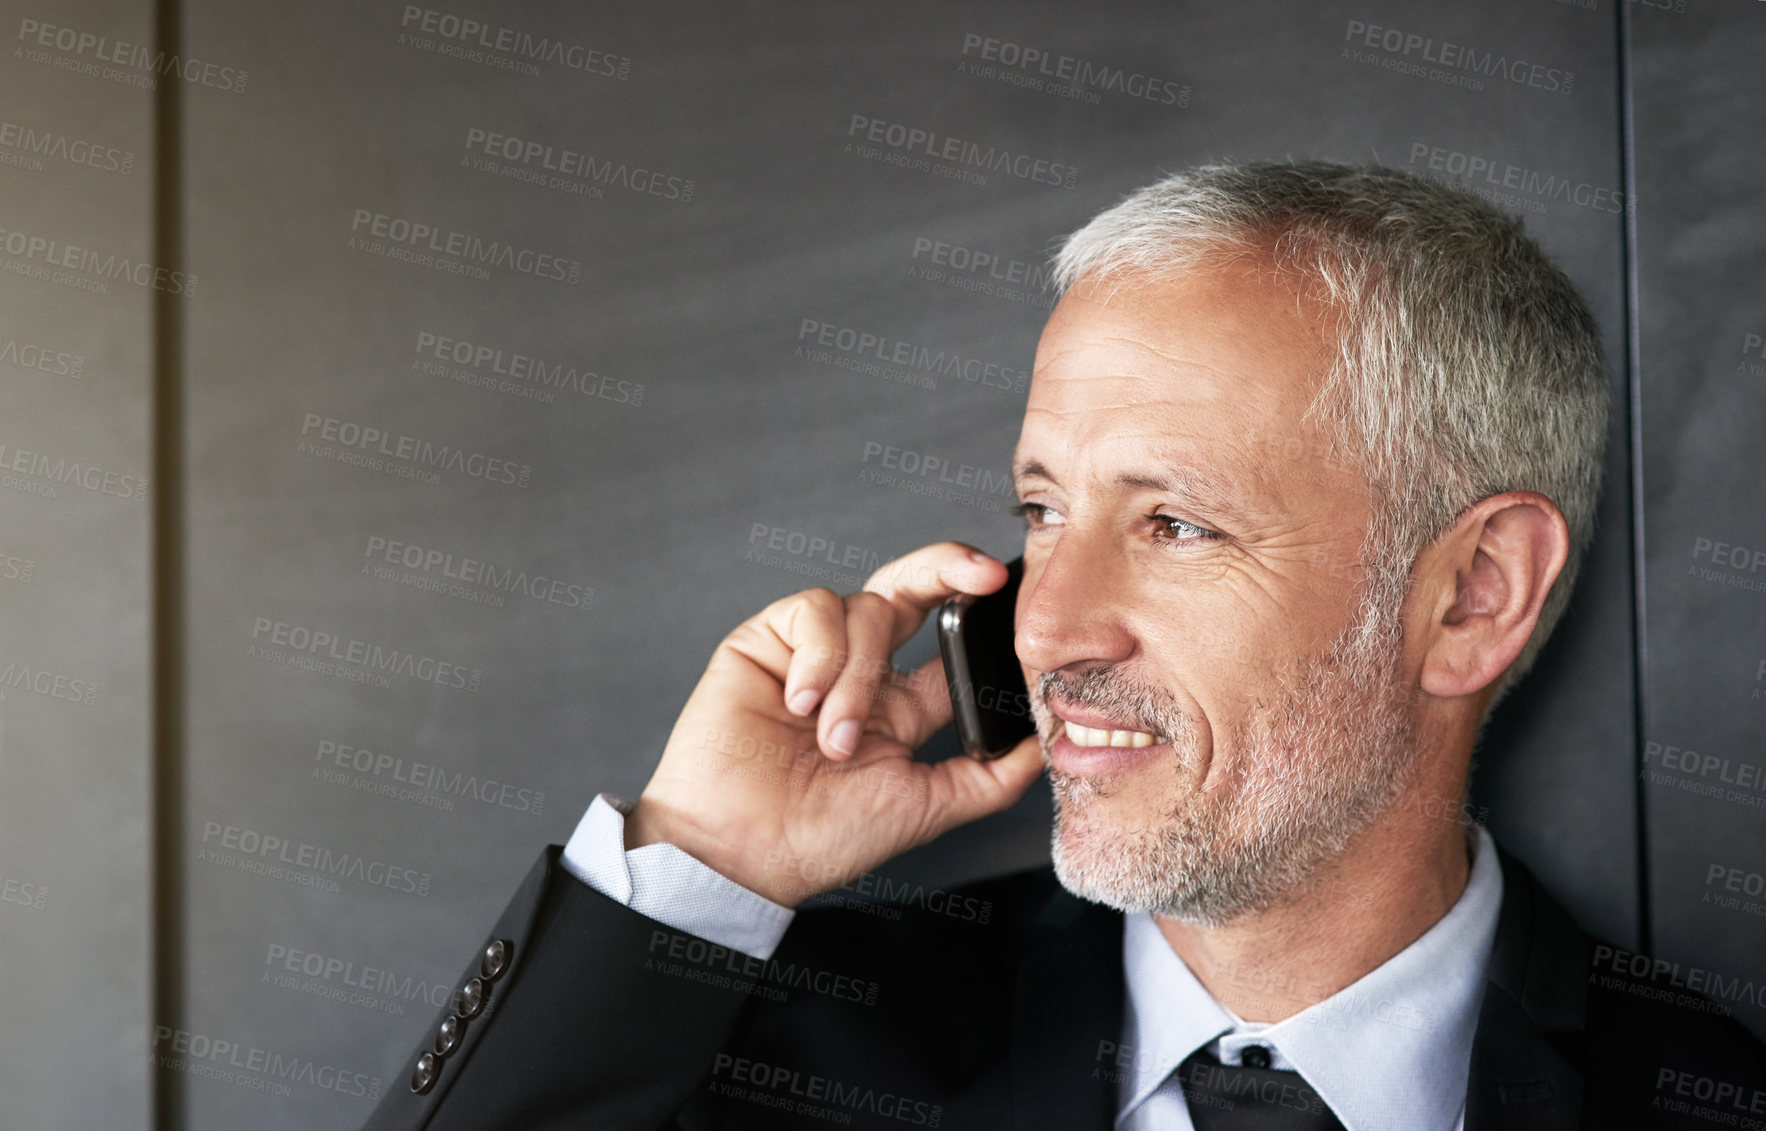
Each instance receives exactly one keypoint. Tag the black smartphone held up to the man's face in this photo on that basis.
(988, 694)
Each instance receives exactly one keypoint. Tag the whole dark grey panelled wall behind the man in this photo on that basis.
(695, 436)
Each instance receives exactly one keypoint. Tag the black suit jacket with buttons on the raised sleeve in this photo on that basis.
(997, 1006)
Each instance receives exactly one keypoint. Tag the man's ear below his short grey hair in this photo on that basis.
(1479, 589)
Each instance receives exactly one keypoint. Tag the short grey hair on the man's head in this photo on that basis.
(1468, 365)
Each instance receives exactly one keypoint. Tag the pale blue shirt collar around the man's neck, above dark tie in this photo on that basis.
(1414, 1017)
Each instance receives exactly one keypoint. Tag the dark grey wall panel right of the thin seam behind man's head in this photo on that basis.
(1702, 321)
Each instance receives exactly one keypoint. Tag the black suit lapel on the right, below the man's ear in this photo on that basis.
(1523, 1077)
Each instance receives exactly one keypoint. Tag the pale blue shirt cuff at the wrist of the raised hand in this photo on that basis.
(668, 886)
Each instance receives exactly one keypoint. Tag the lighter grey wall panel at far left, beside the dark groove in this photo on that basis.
(77, 156)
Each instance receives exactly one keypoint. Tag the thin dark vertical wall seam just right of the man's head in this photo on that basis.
(1634, 425)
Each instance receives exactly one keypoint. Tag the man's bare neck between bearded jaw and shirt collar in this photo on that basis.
(1378, 897)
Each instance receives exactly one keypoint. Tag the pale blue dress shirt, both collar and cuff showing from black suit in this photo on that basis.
(1391, 1052)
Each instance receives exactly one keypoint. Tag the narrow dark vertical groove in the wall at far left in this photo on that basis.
(167, 572)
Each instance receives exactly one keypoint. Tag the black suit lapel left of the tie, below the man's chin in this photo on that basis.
(1068, 999)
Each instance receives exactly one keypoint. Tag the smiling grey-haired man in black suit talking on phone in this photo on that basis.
(1308, 464)
